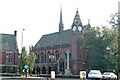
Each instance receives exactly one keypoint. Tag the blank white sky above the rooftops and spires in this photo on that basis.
(40, 17)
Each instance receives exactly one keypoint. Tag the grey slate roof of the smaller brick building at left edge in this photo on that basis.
(8, 42)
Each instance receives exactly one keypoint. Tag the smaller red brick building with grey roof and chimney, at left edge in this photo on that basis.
(8, 53)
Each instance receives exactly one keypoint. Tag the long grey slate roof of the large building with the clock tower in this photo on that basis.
(56, 38)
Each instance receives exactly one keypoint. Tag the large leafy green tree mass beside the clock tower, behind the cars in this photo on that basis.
(96, 41)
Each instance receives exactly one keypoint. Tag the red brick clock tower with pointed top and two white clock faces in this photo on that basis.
(76, 37)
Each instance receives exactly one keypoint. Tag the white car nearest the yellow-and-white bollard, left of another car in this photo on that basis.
(95, 74)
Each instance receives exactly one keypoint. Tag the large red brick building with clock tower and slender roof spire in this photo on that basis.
(52, 48)
